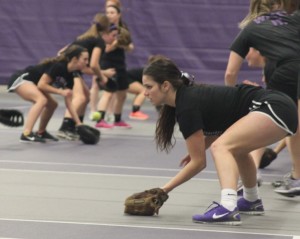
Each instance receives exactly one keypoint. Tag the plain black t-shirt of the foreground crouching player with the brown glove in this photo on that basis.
(213, 108)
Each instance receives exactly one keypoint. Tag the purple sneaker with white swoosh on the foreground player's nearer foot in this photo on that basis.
(219, 215)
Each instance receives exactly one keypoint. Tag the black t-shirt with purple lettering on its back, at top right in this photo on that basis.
(276, 36)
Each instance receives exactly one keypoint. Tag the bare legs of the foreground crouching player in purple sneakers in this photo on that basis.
(235, 145)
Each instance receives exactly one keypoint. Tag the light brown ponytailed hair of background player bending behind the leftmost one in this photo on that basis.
(99, 25)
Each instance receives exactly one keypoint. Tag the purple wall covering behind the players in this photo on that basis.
(196, 34)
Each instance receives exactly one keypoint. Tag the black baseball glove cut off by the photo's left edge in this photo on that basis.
(12, 118)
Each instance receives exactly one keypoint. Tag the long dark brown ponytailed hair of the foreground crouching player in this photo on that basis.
(163, 69)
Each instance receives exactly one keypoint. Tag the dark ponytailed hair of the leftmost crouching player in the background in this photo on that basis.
(67, 55)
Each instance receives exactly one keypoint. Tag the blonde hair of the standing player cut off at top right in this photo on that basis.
(260, 7)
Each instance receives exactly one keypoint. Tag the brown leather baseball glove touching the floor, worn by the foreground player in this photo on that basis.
(146, 203)
